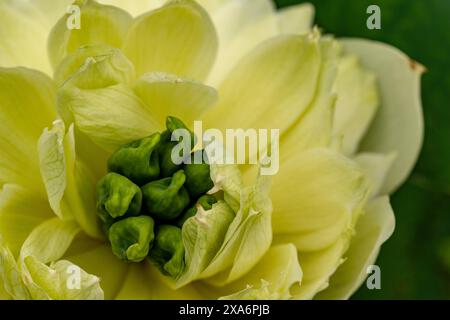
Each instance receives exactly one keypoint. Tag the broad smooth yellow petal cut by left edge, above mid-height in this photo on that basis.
(26, 101)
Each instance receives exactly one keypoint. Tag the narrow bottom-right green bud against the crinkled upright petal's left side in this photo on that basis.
(167, 253)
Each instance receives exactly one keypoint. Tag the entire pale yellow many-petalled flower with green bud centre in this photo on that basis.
(75, 101)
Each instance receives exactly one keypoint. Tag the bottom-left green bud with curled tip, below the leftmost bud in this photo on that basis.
(131, 238)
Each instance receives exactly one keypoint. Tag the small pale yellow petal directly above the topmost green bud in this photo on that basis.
(167, 94)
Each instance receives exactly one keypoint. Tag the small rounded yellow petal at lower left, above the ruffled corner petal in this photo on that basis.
(50, 240)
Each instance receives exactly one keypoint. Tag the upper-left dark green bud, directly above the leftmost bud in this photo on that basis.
(137, 160)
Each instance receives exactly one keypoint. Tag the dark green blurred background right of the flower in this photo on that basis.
(415, 262)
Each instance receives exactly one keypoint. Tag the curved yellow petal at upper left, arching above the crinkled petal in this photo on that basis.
(100, 24)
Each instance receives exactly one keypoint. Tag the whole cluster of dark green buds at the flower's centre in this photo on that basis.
(146, 198)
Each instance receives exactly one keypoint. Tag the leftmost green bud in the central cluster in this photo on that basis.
(117, 197)
